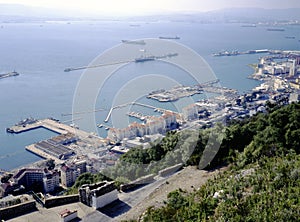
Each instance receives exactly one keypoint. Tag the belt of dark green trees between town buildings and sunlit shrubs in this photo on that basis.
(263, 135)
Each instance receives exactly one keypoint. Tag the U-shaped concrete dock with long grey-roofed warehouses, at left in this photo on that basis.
(59, 147)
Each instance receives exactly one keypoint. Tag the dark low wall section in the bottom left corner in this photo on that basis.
(17, 210)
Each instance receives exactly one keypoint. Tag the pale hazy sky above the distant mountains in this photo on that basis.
(146, 6)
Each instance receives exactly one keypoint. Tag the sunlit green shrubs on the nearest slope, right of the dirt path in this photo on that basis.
(266, 191)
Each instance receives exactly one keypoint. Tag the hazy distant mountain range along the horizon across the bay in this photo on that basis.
(22, 13)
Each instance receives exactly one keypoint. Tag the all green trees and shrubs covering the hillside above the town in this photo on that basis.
(263, 183)
